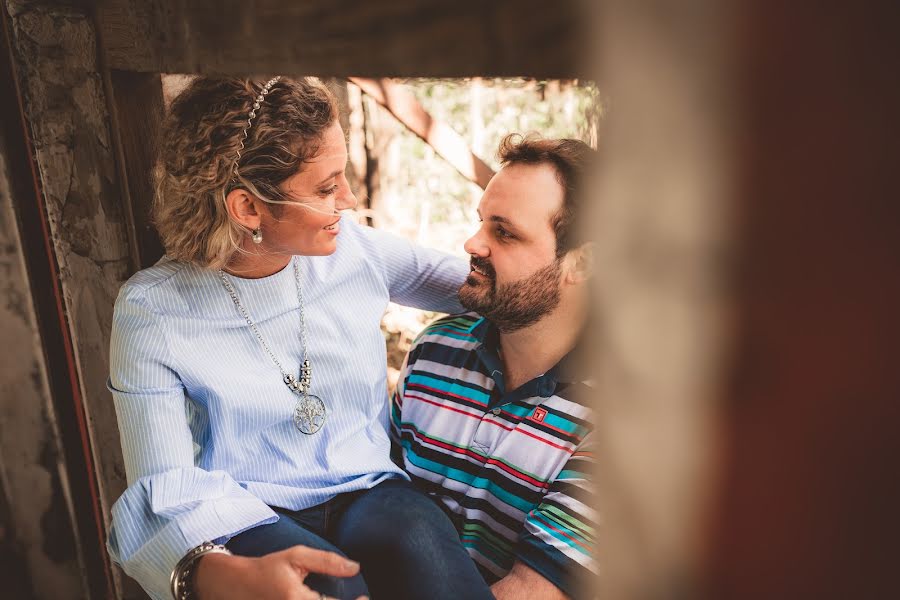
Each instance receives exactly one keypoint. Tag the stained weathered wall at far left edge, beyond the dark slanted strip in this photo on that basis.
(38, 546)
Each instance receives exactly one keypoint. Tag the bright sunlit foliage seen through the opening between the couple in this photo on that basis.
(422, 196)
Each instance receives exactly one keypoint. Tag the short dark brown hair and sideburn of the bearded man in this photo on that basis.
(571, 159)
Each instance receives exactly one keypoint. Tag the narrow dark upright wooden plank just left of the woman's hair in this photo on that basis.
(137, 115)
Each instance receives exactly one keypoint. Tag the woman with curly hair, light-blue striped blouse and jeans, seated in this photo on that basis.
(248, 369)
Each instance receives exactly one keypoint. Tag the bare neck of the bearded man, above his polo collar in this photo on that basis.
(532, 351)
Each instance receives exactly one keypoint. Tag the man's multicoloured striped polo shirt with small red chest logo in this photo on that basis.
(510, 467)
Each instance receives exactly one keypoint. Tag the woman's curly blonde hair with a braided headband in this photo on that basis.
(201, 139)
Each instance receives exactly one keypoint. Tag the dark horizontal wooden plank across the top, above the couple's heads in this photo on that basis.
(441, 38)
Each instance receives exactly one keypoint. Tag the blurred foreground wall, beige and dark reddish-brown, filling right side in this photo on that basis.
(748, 279)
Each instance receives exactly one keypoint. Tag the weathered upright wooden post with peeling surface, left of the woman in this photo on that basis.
(75, 198)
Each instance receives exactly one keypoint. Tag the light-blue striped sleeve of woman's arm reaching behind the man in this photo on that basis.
(416, 276)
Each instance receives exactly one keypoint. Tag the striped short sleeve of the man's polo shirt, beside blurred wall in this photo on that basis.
(558, 537)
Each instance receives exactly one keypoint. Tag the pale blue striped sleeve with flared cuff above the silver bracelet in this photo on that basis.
(170, 506)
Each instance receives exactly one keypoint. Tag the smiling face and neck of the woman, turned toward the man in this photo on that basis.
(311, 226)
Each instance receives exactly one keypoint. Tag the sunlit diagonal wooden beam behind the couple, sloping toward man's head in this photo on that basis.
(403, 104)
